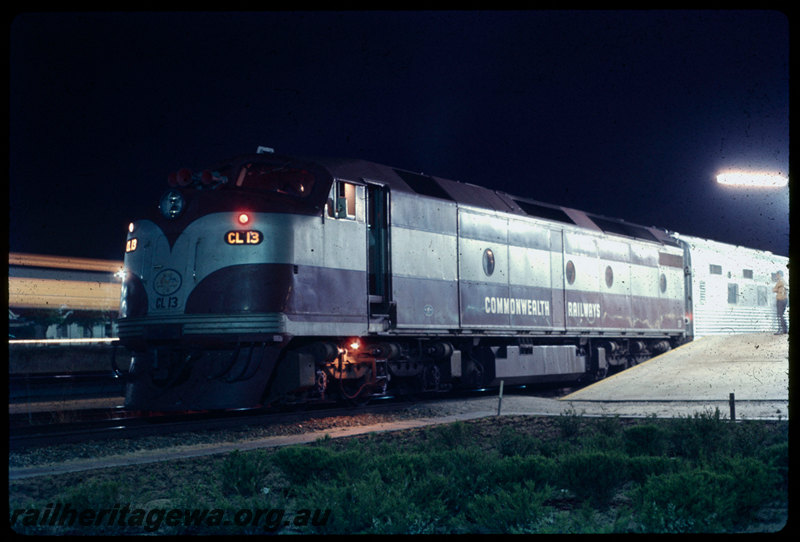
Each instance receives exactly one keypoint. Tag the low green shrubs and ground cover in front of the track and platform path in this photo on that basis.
(567, 474)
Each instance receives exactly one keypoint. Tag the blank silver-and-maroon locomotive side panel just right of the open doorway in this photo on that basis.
(424, 263)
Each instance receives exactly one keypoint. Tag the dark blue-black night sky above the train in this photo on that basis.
(622, 113)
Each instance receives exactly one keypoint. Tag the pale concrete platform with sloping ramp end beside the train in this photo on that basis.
(754, 367)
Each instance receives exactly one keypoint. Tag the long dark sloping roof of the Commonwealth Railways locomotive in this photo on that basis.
(401, 180)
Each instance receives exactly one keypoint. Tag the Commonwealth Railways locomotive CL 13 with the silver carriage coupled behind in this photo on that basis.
(275, 279)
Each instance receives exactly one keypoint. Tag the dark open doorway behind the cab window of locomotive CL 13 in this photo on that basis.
(378, 271)
